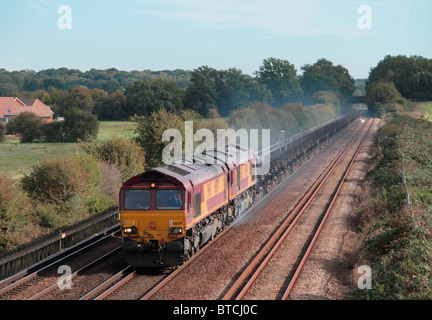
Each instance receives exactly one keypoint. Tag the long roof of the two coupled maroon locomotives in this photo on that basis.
(198, 169)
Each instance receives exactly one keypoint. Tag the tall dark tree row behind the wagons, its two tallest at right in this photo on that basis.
(276, 83)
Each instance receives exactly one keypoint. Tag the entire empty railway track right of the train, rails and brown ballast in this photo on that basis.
(274, 271)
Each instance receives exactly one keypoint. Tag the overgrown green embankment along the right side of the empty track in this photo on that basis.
(395, 212)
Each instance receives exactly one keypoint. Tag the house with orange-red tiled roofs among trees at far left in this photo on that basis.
(11, 107)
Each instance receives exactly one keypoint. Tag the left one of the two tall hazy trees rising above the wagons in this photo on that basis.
(280, 77)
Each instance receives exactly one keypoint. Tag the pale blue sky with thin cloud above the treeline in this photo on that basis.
(186, 34)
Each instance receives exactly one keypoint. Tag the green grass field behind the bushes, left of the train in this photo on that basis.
(16, 158)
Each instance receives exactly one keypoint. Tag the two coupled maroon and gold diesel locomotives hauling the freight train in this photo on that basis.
(168, 213)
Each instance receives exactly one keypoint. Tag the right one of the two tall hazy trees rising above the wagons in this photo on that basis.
(324, 76)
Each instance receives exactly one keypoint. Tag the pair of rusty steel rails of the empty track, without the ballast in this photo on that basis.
(249, 277)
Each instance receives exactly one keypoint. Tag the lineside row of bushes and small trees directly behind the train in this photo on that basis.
(292, 117)
